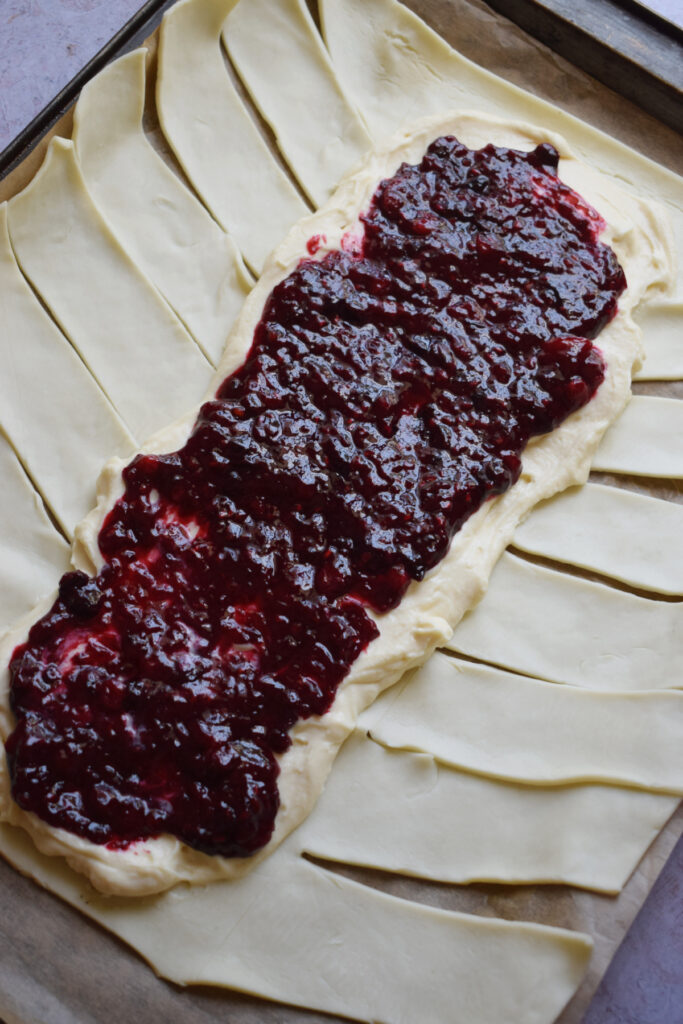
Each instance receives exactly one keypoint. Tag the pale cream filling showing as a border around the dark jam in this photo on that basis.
(432, 609)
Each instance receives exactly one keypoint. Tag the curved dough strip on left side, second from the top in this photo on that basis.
(214, 137)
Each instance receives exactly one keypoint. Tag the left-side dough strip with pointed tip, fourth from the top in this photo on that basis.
(135, 346)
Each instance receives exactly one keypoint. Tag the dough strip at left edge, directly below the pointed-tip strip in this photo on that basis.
(61, 423)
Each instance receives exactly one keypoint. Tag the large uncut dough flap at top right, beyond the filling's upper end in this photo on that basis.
(398, 69)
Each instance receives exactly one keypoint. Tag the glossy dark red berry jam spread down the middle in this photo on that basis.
(391, 390)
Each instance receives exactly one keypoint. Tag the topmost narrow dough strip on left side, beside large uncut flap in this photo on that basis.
(318, 131)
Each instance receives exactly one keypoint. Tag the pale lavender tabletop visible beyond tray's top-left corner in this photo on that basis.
(44, 45)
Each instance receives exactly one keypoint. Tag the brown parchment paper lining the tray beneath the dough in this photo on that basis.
(59, 968)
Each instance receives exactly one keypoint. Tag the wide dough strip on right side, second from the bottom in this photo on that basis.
(406, 814)
